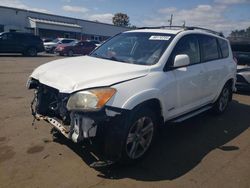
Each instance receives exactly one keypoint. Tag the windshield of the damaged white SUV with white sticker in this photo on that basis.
(134, 47)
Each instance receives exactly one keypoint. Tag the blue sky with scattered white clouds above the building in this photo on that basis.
(220, 15)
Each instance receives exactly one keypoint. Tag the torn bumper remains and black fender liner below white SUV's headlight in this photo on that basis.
(109, 126)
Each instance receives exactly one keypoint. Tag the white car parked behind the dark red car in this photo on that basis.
(51, 46)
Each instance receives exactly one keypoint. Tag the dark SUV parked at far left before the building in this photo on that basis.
(25, 43)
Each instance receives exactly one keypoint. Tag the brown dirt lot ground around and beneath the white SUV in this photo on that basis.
(205, 151)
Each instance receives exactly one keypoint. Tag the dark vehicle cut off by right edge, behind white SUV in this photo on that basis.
(241, 51)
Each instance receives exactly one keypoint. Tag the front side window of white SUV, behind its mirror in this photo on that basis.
(188, 45)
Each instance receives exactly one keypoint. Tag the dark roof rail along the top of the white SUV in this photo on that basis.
(185, 28)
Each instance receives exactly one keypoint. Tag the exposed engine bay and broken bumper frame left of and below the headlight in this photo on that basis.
(50, 105)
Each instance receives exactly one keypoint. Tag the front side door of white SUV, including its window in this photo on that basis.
(189, 79)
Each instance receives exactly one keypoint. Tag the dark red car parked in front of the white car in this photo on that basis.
(80, 48)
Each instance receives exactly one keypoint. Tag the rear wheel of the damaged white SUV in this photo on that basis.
(222, 102)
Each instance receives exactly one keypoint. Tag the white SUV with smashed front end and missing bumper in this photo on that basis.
(134, 83)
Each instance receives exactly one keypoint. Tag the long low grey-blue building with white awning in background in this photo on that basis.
(52, 26)
